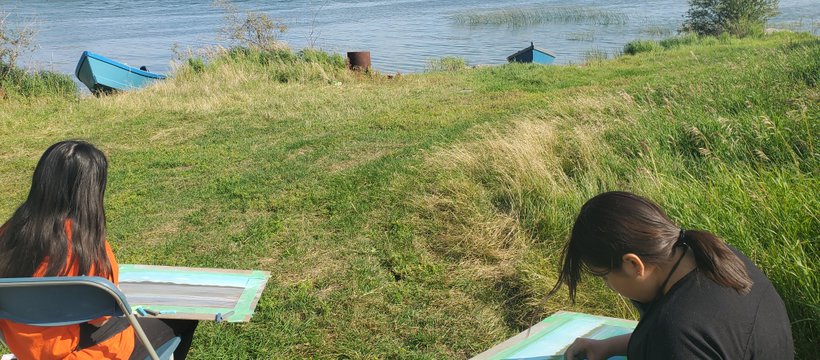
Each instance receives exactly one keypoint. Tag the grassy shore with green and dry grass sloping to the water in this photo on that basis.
(422, 216)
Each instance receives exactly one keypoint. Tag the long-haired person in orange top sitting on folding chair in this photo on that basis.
(60, 231)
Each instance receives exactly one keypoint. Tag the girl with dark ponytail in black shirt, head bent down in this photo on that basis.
(698, 297)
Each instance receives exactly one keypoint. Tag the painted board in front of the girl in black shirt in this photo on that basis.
(550, 338)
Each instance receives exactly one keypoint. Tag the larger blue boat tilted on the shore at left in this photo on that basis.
(103, 75)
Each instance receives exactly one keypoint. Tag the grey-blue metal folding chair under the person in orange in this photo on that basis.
(67, 300)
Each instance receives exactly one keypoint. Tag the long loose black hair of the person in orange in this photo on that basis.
(68, 185)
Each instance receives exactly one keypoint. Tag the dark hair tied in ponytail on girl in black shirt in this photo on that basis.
(613, 224)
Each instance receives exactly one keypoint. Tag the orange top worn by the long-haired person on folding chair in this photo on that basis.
(59, 342)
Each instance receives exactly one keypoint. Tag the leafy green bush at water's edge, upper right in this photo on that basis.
(735, 17)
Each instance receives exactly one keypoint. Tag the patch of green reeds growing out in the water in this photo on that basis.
(523, 17)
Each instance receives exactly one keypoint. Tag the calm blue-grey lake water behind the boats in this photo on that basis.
(402, 35)
